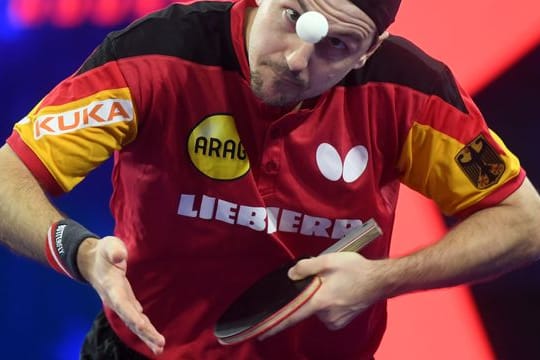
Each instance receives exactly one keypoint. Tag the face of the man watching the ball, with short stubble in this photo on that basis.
(286, 70)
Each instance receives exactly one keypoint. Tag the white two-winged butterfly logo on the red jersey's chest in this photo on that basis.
(333, 169)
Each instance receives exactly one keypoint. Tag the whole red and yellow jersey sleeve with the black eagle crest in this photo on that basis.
(451, 156)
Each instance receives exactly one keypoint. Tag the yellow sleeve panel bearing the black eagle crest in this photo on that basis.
(429, 164)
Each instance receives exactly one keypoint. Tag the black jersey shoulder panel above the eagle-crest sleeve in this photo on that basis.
(398, 61)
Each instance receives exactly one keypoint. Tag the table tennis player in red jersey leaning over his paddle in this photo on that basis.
(238, 146)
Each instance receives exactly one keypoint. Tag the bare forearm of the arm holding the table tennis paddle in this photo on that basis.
(486, 244)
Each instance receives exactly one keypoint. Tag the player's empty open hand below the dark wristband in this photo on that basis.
(103, 263)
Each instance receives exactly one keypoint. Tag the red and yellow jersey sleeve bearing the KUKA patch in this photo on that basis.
(78, 125)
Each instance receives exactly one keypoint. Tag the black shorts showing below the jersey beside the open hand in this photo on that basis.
(102, 343)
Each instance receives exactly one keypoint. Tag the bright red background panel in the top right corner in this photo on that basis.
(478, 39)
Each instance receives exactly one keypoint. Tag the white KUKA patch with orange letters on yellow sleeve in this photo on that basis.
(97, 113)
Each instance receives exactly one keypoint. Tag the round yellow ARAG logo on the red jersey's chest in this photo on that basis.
(215, 149)
